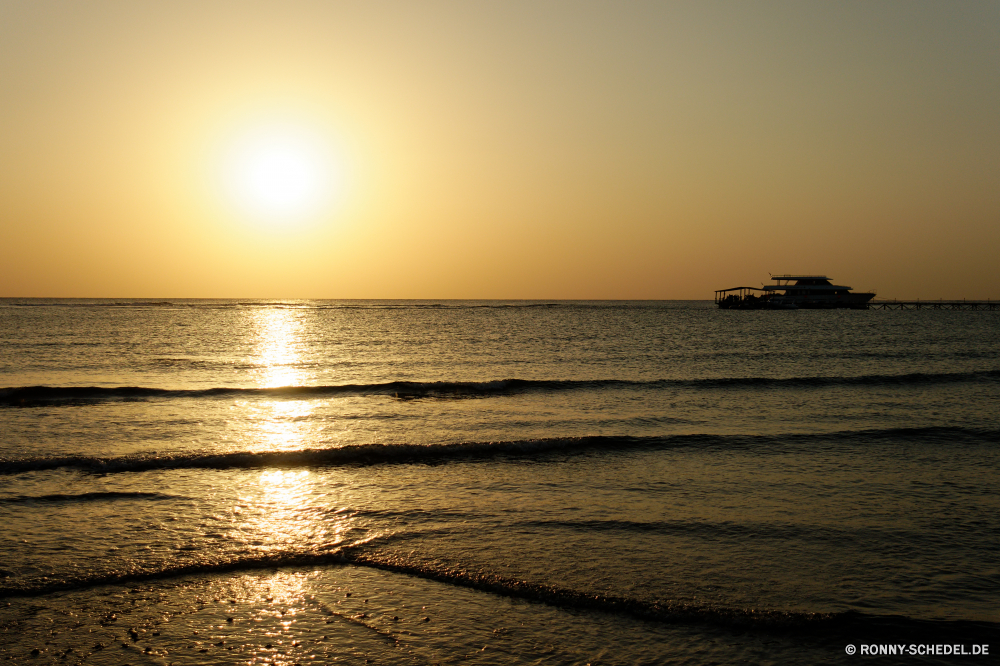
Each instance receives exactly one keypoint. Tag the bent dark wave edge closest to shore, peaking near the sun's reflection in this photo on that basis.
(849, 624)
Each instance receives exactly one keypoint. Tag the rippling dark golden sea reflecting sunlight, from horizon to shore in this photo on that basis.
(496, 482)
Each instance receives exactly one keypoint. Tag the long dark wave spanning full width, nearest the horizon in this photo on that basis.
(30, 396)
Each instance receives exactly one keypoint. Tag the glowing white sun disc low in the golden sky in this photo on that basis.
(280, 174)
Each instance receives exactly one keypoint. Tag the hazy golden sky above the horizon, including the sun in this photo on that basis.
(509, 150)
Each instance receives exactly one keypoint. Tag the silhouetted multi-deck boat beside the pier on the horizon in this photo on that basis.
(792, 292)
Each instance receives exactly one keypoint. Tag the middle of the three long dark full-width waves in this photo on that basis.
(388, 454)
